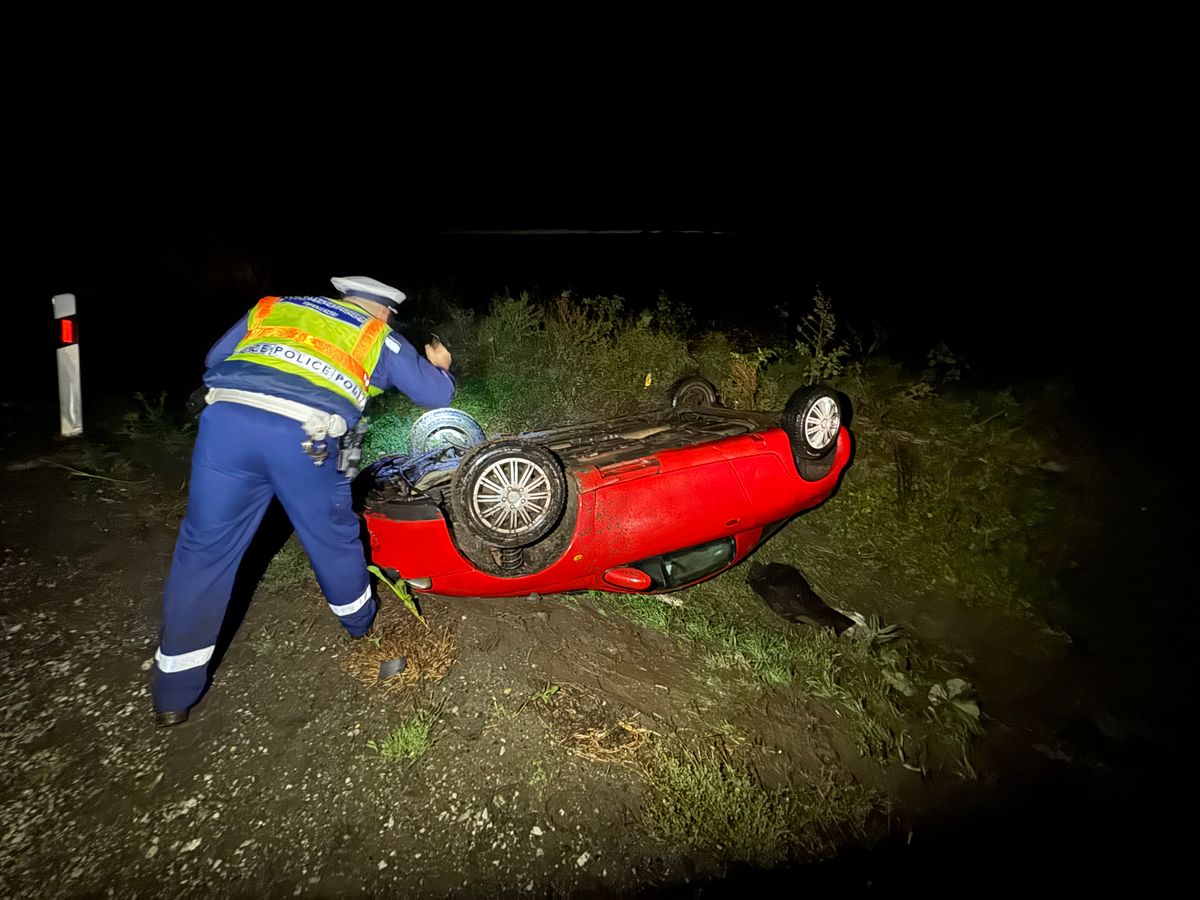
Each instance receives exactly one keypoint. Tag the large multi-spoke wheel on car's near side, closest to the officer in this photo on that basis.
(509, 494)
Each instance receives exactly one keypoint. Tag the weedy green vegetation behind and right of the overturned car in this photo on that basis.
(947, 484)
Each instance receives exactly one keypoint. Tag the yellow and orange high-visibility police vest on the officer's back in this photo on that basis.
(331, 344)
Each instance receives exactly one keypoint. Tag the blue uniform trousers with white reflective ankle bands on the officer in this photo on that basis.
(244, 458)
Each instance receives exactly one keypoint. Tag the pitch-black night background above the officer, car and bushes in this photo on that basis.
(1012, 187)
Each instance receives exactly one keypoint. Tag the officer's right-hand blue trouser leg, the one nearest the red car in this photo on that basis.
(317, 500)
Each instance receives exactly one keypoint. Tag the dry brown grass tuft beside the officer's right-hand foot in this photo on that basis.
(430, 652)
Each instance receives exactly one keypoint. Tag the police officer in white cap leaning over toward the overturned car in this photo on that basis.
(285, 385)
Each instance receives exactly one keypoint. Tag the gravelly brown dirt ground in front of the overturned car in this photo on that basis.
(273, 790)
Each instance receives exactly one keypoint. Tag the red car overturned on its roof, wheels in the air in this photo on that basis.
(645, 503)
